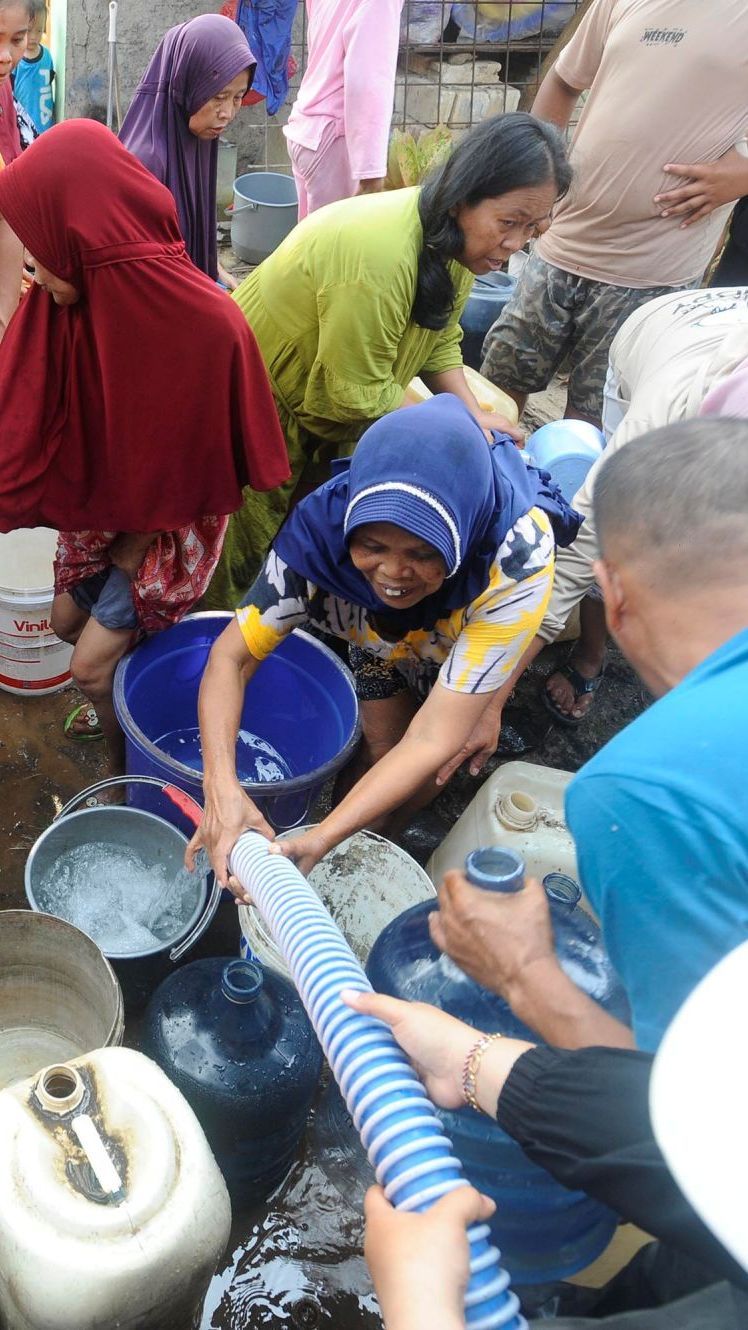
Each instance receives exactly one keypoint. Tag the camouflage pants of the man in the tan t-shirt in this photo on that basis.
(553, 317)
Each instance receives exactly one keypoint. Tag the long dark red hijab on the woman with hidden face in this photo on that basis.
(147, 405)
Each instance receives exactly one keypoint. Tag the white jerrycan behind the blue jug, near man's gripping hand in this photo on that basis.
(520, 807)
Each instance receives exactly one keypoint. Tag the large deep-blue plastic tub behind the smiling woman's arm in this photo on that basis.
(301, 710)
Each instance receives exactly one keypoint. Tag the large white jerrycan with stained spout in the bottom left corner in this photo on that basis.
(114, 1214)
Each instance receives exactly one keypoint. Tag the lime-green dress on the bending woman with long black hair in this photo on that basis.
(331, 309)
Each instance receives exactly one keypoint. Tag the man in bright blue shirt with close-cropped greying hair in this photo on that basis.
(661, 815)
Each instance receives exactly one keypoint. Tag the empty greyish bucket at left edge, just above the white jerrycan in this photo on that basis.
(59, 996)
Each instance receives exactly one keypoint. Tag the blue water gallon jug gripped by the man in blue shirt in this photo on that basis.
(544, 1231)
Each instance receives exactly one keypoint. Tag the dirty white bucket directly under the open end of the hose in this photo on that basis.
(365, 882)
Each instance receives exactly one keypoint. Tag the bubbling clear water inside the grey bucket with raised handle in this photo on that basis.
(124, 905)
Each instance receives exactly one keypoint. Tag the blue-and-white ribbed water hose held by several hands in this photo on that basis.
(412, 1158)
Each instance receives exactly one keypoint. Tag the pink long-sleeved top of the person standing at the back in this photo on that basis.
(349, 80)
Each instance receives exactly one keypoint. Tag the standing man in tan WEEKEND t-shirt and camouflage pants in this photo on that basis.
(658, 158)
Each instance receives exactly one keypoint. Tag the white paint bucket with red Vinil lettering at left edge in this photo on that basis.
(33, 659)
